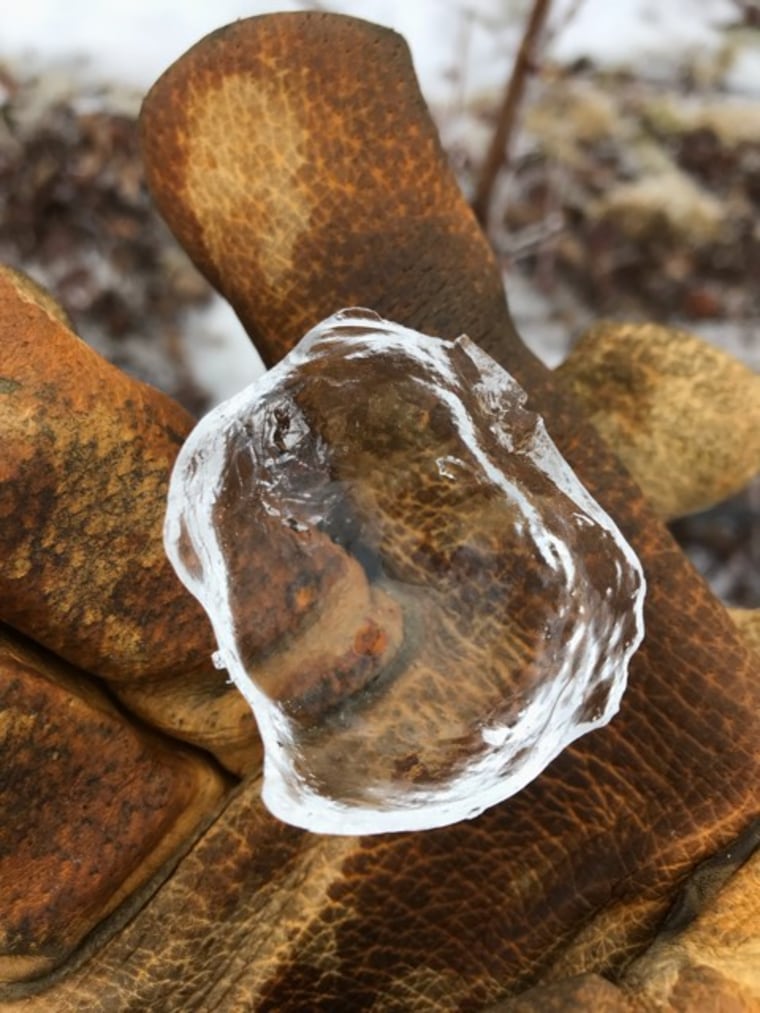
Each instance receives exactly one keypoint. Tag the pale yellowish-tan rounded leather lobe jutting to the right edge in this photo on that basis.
(682, 416)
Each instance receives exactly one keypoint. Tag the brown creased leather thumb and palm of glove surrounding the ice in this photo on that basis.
(573, 875)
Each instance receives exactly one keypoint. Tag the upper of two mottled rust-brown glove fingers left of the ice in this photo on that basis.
(87, 458)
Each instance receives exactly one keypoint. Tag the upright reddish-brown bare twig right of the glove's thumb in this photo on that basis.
(498, 154)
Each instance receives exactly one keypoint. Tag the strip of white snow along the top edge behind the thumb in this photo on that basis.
(134, 41)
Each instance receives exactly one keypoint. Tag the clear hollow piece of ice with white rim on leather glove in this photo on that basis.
(417, 596)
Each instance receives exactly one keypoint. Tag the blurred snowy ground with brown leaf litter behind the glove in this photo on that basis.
(630, 187)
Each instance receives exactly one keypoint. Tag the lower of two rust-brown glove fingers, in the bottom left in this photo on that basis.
(91, 808)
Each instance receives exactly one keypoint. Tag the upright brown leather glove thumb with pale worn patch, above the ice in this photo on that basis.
(293, 158)
